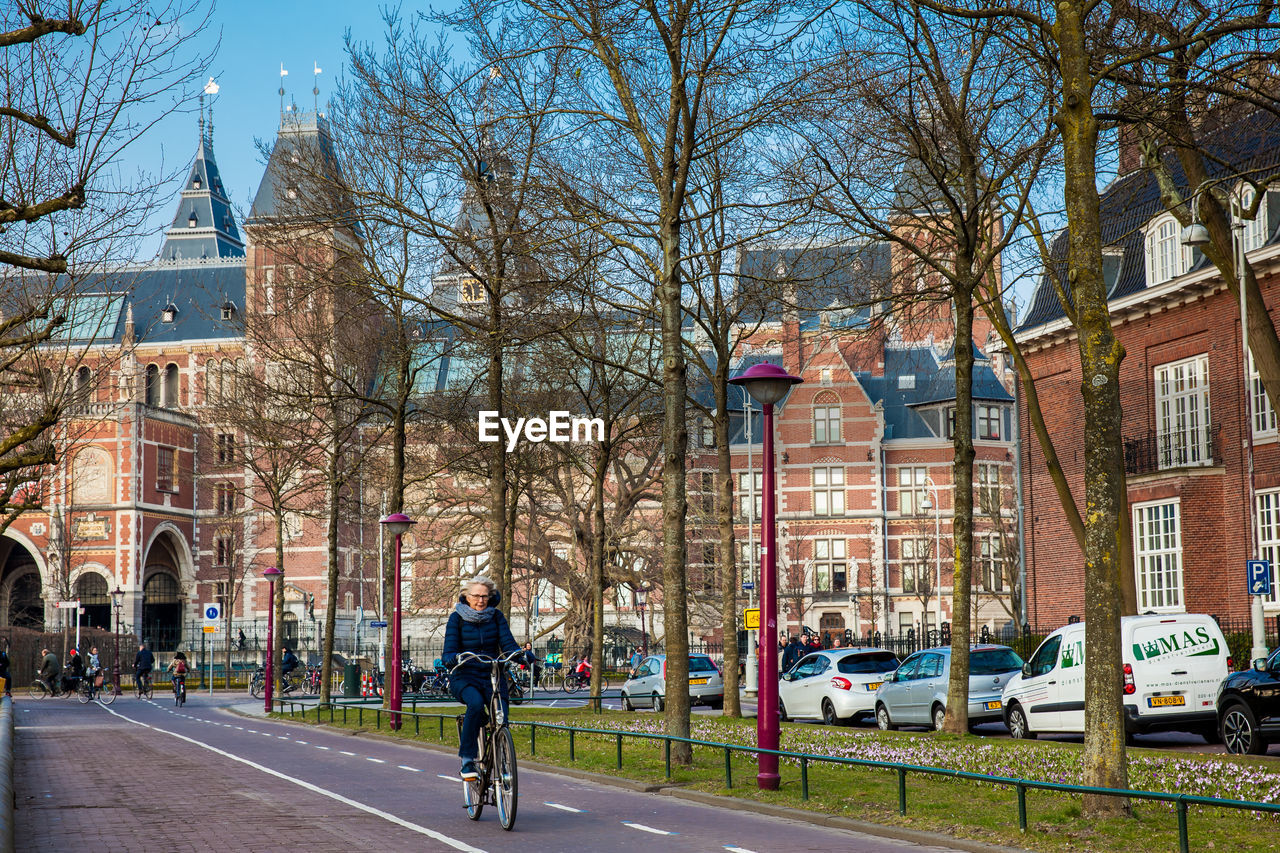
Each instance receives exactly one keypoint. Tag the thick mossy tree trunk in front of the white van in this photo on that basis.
(1105, 759)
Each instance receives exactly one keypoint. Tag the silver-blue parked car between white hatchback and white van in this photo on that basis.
(917, 692)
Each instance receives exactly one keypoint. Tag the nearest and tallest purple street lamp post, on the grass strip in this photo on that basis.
(769, 385)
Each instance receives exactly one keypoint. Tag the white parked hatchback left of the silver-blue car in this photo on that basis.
(836, 686)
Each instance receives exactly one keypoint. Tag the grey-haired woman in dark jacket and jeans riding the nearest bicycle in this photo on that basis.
(476, 626)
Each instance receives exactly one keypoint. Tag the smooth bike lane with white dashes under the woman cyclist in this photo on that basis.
(420, 787)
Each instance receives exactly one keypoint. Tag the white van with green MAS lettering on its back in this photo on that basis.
(1173, 667)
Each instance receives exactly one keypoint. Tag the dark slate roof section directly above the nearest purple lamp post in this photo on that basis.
(840, 281)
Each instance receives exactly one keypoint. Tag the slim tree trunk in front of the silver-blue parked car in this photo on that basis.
(962, 518)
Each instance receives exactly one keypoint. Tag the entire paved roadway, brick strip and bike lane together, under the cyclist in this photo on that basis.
(145, 776)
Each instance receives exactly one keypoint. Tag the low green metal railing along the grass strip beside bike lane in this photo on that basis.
(1021, 786)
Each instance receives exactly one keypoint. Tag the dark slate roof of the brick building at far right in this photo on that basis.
(1247, 147)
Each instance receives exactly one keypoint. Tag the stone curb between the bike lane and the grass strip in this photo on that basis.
(733, 804)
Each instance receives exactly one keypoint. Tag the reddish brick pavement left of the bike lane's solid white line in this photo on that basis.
(86, 781)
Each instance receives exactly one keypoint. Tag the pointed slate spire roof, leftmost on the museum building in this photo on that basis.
(204, 226)
